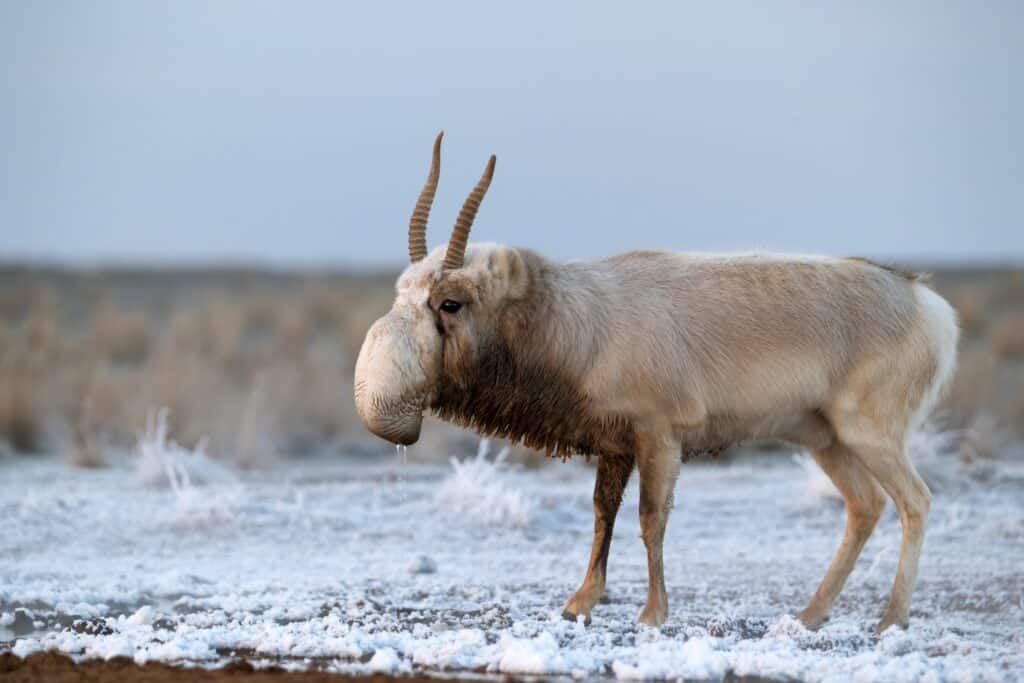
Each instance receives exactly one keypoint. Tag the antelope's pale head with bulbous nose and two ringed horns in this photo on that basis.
(446, 306)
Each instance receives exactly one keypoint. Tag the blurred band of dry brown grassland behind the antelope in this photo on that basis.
(258, 364)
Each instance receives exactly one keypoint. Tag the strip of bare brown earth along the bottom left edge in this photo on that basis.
(55, 668)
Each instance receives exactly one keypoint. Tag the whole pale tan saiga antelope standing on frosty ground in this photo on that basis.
(644, 358)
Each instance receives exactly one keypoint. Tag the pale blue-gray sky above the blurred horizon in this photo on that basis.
(301, 133)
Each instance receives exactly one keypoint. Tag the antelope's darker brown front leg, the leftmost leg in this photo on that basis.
(613, 476)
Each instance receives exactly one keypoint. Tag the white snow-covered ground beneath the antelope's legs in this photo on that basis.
(349, 566)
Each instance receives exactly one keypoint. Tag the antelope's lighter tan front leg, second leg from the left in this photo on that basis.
(659, 469)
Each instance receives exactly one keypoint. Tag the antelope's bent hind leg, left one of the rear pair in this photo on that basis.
(865, 502)
